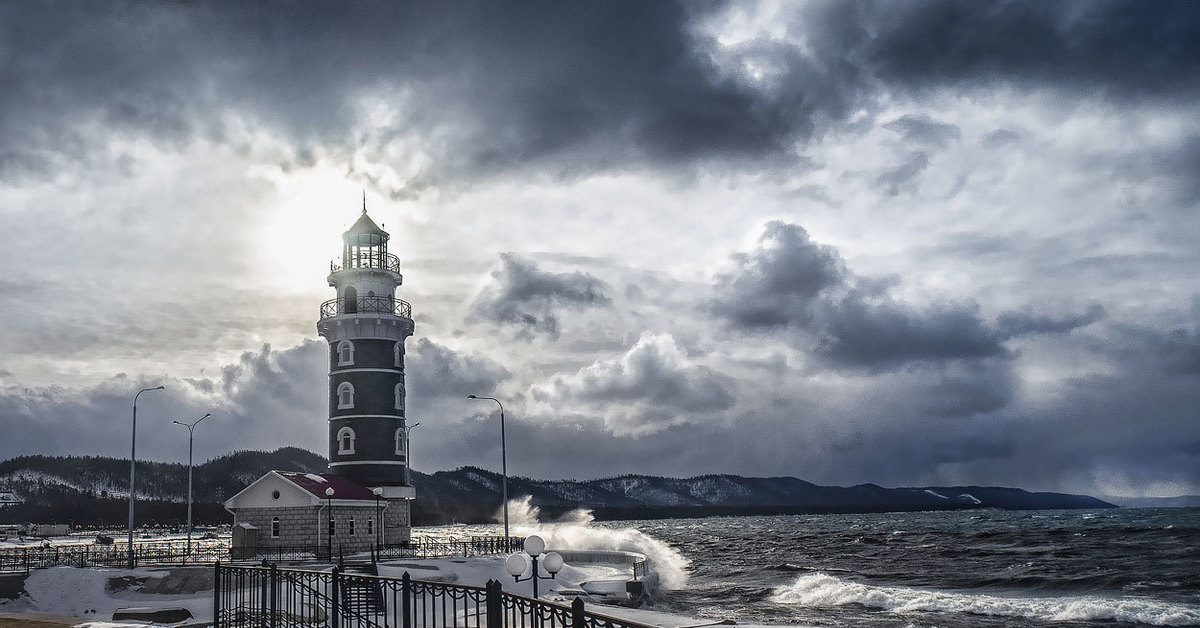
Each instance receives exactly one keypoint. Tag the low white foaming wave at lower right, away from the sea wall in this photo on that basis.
(823, 590)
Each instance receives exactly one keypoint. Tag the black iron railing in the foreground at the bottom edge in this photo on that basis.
(272, 597)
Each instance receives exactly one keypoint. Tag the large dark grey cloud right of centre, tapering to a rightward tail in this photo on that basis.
(791, 283)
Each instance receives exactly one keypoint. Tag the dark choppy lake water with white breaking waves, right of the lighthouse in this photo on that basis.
(1127, 567)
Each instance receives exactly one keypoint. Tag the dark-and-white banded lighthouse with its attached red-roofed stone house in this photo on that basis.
(365, 499)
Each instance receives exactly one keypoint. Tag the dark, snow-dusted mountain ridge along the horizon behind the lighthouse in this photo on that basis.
(94, 491)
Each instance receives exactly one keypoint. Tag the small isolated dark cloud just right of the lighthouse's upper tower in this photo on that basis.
(530, 298)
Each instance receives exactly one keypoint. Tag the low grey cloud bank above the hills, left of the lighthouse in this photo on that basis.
(267, 399)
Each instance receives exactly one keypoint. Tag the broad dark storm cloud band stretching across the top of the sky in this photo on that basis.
(563, 87)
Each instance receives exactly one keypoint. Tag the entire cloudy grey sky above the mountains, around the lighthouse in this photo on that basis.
(904, 243)
